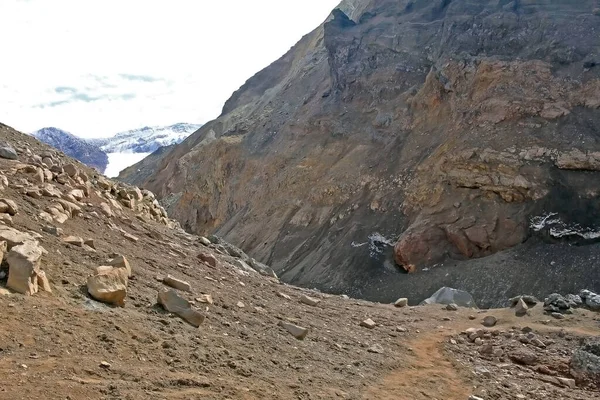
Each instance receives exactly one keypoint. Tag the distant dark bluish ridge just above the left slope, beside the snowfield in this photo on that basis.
(78, 148)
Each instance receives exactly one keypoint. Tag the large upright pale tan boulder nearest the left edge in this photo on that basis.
(23, 267)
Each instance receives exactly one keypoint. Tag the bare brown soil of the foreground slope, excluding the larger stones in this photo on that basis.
(52, 346)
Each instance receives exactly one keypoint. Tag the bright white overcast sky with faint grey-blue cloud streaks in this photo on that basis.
(97, 67)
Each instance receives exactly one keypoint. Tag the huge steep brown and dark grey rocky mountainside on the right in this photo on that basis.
(424, 134)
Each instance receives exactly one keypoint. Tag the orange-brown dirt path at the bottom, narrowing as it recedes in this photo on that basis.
(427, 375)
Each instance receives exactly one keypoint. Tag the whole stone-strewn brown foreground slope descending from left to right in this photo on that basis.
(65, 345)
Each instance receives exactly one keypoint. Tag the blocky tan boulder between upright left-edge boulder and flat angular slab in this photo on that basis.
(108, 285)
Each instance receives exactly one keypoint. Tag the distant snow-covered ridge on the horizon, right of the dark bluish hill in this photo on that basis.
(147, 139)
